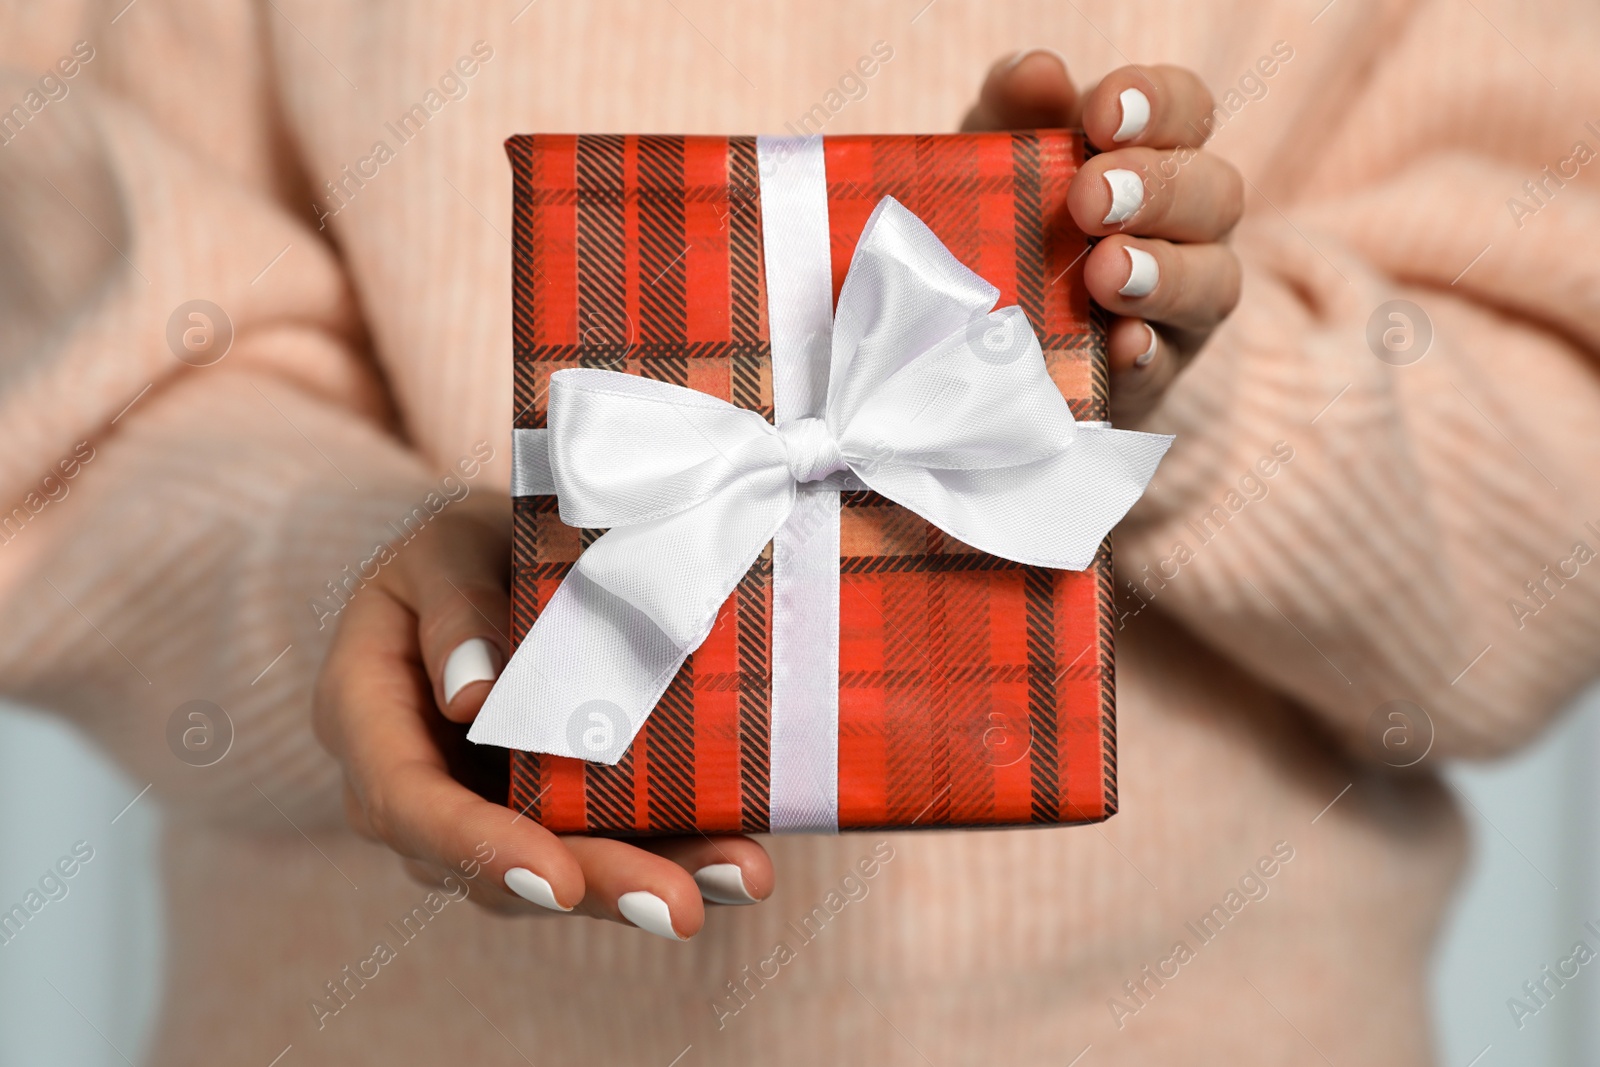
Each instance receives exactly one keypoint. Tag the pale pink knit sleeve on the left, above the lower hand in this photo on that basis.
(188, 489)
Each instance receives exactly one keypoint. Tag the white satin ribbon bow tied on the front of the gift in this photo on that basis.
(934, 401)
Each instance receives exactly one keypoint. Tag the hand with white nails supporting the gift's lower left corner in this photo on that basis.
(409, 669)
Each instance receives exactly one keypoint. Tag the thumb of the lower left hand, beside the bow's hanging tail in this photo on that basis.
(455, 578)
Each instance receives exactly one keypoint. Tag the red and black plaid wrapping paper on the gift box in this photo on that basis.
(974, 692)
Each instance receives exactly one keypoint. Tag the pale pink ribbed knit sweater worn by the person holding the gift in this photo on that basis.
(1270, 892)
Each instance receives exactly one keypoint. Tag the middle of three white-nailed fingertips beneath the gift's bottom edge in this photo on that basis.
(639, 889)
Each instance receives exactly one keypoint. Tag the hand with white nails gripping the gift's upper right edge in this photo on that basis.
(1162, 206)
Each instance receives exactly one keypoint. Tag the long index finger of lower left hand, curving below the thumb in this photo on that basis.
(377, 713)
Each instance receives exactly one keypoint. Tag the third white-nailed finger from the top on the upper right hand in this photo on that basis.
(1188, 287)
